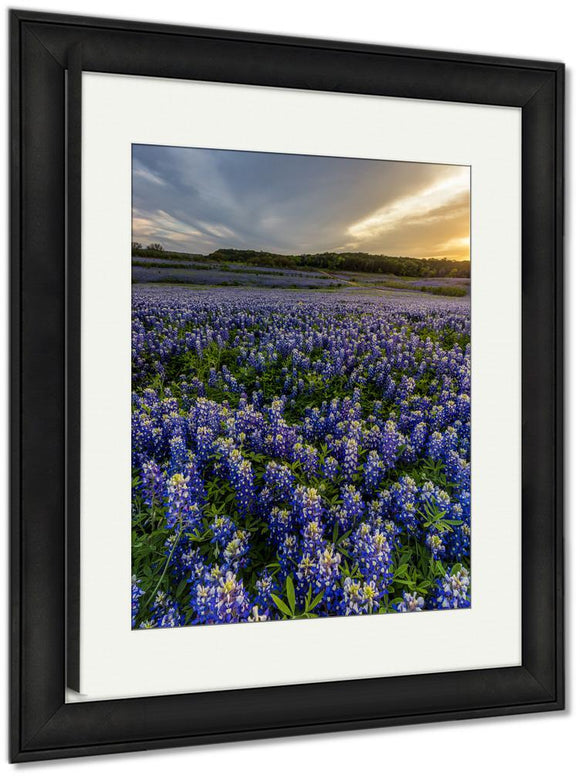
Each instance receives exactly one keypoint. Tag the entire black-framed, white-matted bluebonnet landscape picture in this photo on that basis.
(286, 386)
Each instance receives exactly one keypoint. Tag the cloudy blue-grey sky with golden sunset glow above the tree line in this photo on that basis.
(200, 200)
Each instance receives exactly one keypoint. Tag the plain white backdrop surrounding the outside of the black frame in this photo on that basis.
(535, 745)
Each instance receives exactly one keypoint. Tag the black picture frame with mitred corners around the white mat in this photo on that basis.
(48, 54)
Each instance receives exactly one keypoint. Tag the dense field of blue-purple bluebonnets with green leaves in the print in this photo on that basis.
(298, 454)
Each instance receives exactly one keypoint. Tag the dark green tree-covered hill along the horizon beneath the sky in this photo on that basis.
(359, 262)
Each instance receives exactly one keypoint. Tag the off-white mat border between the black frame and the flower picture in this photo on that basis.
(116, 661)
